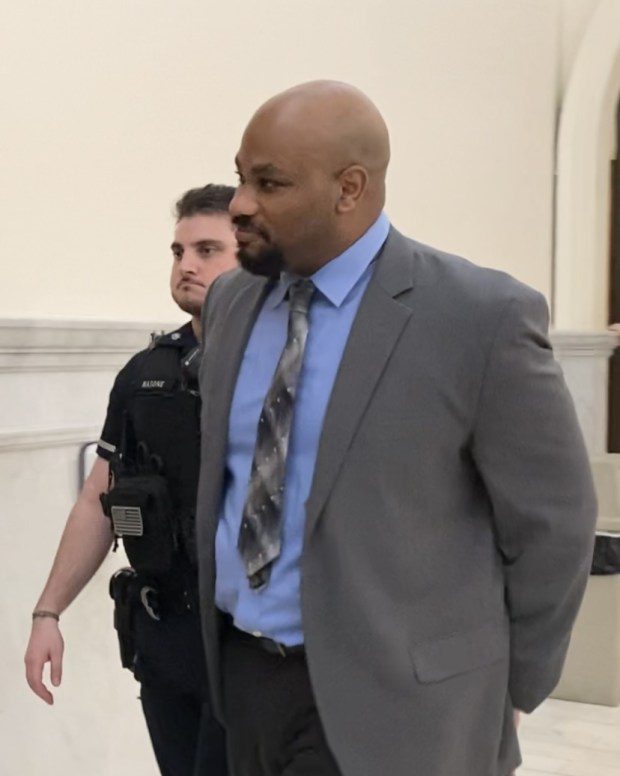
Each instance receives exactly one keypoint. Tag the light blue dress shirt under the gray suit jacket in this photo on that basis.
(274, 610)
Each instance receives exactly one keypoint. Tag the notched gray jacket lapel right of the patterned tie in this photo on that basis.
(376, 329)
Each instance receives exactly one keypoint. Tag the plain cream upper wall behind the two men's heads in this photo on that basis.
(110, 109)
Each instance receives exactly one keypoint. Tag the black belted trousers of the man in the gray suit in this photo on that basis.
(272, 724)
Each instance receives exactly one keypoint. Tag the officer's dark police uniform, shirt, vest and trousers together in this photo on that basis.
(154, 401)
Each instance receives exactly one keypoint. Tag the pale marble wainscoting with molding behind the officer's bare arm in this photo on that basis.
(54, 381)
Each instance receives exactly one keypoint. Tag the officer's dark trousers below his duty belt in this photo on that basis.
(170, 666)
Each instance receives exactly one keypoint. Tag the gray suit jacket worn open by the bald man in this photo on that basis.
(450, 522)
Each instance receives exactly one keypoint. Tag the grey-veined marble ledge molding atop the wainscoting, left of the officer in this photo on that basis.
(38, 345)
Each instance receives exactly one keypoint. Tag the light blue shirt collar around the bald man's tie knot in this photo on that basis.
(336, 279)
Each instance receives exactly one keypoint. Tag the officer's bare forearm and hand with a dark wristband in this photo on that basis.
(85, 542)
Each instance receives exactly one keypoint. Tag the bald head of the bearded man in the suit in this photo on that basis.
(330, 147)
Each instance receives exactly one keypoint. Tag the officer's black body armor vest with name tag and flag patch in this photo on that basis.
(163, 425)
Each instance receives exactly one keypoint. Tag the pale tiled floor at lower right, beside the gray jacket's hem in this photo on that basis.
(571, 739)
